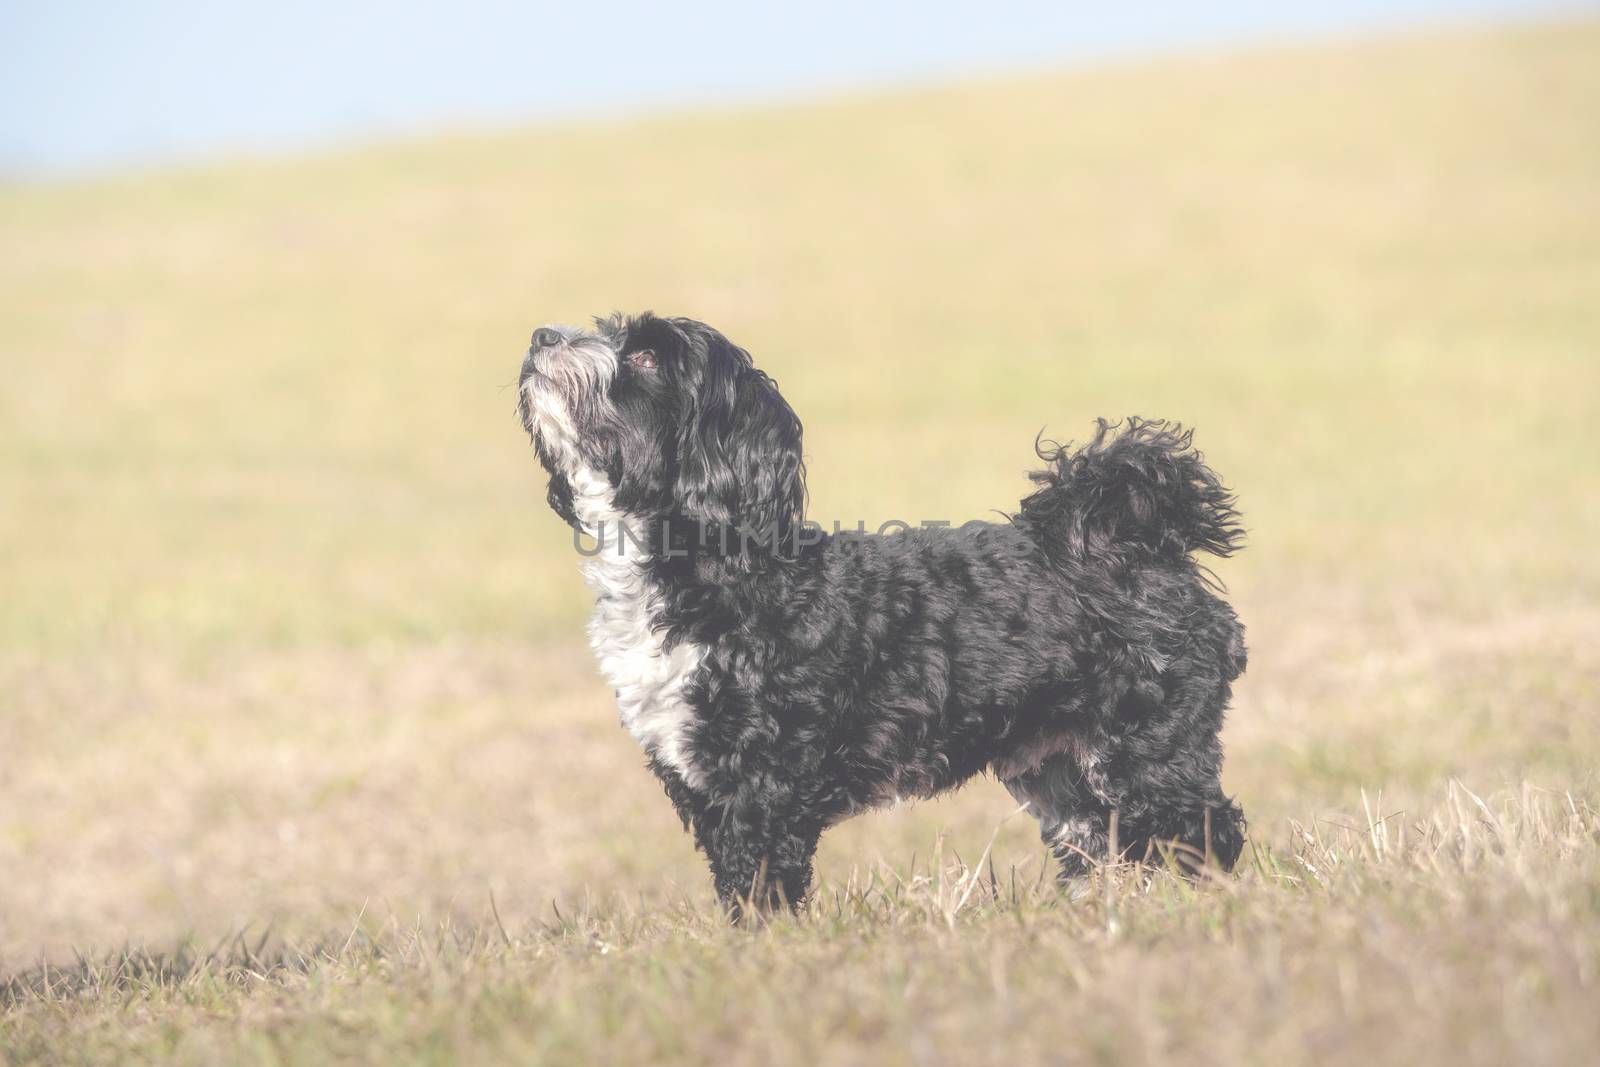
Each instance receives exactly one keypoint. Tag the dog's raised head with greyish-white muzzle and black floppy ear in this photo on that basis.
(668, 418)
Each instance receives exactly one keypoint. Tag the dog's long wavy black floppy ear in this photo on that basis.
(740, 455)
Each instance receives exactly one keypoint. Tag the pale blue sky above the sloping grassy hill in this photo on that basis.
(92, 87)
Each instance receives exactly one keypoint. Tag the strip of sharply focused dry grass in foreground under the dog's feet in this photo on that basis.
(1351, 943)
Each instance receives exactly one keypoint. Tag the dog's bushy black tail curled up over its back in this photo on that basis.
(1137, 487)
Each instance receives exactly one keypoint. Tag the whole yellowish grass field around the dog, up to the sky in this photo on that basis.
(302, 754)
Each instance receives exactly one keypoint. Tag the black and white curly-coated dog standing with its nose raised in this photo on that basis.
(782, 679)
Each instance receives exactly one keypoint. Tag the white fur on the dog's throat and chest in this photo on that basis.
(650, 681)
